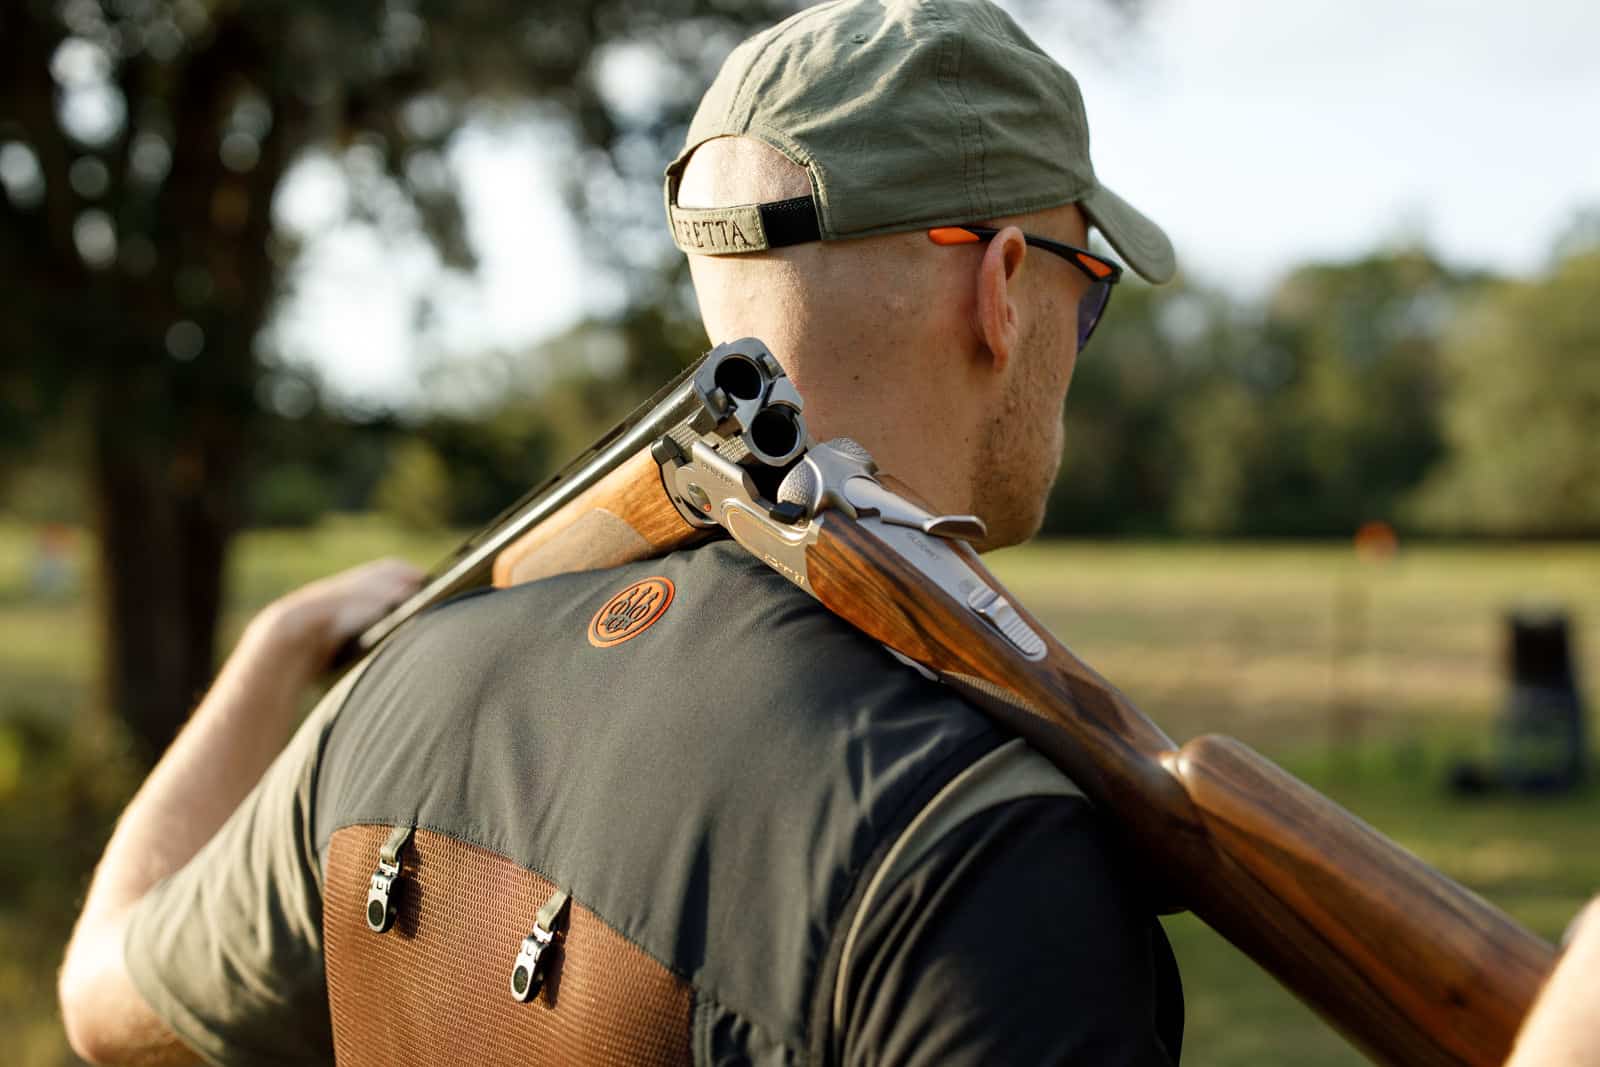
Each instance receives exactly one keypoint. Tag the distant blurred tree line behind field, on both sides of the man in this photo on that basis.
(1390, 388)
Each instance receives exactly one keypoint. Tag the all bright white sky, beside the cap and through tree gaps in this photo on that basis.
(1260, 135)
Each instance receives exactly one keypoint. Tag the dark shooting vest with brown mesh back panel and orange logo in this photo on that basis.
(558, 836)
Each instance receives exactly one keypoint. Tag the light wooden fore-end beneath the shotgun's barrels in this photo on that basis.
(622, 519)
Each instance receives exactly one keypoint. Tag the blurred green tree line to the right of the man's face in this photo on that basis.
(1391, 388)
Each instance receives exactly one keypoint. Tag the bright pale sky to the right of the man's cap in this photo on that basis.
(1262, 135)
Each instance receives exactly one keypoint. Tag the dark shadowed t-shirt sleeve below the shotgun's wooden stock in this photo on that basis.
(1014, 941)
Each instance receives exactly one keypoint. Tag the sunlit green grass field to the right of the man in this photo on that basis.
(1268, 644)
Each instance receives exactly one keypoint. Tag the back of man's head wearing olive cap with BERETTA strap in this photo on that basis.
(820, 161)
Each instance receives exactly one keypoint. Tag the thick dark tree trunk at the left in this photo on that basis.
(172, 431)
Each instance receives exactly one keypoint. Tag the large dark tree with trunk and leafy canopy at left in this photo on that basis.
(142, 145)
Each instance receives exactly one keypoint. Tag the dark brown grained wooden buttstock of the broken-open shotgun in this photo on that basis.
(1409, 965)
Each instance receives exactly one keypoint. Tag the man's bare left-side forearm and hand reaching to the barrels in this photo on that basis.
(215, 762)
